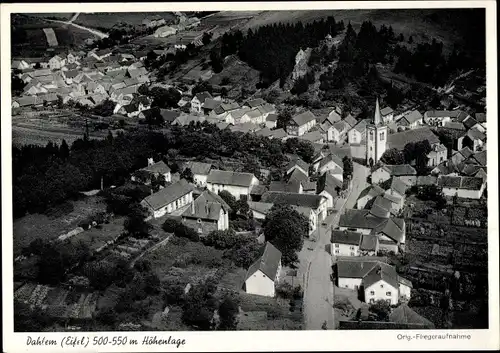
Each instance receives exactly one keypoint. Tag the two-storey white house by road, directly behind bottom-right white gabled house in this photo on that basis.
(349, 243)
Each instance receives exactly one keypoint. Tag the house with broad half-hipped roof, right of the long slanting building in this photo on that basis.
(207, 213)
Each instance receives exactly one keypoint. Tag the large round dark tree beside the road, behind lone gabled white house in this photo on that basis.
(285, 228)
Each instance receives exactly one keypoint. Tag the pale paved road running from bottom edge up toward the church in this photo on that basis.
(317, 263)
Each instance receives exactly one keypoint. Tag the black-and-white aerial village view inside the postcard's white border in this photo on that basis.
(249, 170)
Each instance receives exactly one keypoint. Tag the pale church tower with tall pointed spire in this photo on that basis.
(376, 139)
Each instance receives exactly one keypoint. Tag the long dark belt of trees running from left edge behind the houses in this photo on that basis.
(46, 176)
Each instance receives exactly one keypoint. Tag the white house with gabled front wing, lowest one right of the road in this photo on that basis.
(376, 279)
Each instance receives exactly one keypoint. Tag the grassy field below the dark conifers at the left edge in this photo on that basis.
(47, 227)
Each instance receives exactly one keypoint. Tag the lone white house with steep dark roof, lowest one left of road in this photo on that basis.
(264, 273)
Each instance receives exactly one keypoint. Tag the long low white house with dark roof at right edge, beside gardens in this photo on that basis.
(463, 187)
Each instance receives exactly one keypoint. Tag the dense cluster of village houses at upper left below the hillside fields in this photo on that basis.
(85, 78)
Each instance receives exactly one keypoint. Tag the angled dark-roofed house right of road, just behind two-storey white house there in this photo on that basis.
(391, 232)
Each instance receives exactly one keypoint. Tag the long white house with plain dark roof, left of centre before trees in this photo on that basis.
(237, 184)
